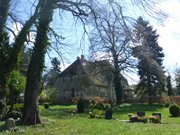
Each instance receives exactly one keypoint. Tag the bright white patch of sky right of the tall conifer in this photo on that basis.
(169, 33)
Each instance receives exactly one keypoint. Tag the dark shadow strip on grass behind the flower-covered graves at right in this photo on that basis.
(127, 108)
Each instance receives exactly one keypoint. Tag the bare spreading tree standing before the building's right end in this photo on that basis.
(110, 40)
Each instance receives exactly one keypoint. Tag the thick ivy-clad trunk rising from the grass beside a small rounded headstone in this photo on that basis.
(31, 113)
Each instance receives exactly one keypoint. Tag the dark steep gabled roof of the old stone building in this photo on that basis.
(99, 72)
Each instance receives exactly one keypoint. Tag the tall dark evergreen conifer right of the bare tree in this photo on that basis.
(150, 56)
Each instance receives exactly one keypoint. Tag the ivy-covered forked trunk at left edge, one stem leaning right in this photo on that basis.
(14, 55)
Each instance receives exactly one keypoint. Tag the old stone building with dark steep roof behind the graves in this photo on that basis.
(86, 79)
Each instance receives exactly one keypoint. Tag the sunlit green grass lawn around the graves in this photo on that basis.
(58, 122)
